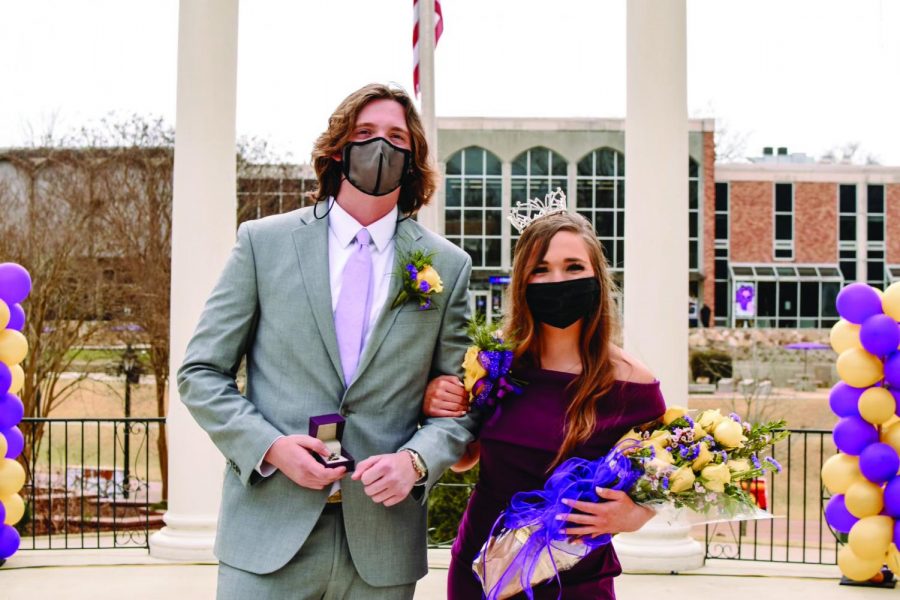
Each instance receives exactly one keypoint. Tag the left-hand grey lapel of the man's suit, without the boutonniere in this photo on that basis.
(311, 243)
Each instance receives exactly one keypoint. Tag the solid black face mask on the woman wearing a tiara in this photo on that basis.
(562, 303)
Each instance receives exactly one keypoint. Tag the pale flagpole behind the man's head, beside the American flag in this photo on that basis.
(429, 216)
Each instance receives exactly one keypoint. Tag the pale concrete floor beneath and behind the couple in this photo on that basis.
(87, 575)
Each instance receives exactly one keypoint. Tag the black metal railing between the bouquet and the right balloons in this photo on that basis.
(797, 531)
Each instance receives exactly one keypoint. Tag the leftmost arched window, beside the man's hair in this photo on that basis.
(473, 211)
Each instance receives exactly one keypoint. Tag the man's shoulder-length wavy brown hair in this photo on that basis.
(419, 183)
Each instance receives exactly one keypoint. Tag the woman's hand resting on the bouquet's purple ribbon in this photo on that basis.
(618, 514)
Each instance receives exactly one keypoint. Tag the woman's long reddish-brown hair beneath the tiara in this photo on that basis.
(598, 326)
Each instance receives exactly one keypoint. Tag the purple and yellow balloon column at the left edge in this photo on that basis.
(15, 284)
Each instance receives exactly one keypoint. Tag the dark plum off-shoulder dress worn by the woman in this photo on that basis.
(518, 445)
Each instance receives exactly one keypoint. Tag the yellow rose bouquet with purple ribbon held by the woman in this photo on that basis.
(694, 467)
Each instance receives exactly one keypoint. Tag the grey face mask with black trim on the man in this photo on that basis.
(375, 167)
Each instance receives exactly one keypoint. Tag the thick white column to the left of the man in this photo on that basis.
(203, 232)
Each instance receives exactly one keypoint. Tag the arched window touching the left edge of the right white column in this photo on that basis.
(601, 199)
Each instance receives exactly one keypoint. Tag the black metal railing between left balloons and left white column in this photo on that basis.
(91, 483)
